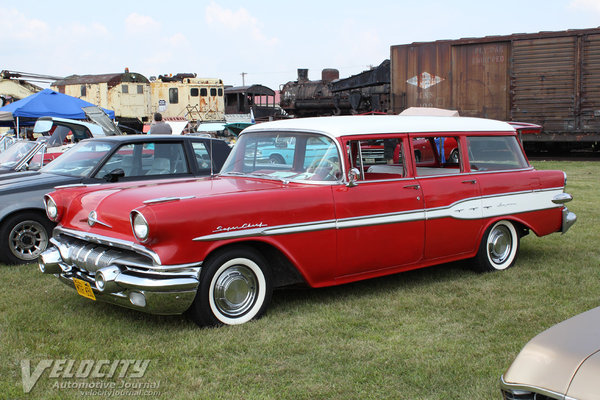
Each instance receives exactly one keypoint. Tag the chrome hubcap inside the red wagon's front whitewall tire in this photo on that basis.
(235, 291)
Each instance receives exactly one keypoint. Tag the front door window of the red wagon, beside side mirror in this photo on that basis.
(377, 159)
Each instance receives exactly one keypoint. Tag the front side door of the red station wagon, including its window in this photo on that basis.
(380, 221)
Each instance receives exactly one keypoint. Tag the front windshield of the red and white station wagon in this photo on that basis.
(285, 156)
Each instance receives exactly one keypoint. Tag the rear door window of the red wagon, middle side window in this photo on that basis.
(436, 155)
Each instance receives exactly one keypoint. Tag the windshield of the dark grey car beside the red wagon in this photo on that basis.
(80, 160)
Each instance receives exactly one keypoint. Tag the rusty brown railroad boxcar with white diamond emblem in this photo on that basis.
(548, 78)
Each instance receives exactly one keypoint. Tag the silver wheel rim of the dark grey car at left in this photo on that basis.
(27, 240)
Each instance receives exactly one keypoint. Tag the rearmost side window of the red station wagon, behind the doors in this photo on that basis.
(490, 153)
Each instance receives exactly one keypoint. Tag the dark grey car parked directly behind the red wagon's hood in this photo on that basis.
(24, 227)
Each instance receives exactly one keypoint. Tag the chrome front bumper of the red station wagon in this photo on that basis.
(125, 280)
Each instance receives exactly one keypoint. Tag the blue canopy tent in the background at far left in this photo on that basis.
(46, 103)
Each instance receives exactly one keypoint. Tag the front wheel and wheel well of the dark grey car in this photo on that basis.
(23, 237)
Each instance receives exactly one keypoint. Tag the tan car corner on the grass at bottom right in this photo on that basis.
(562, 362)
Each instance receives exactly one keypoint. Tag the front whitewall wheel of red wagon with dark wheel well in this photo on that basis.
(235, 287)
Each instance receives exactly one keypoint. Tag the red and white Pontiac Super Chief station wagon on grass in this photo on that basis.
(352, 202)
